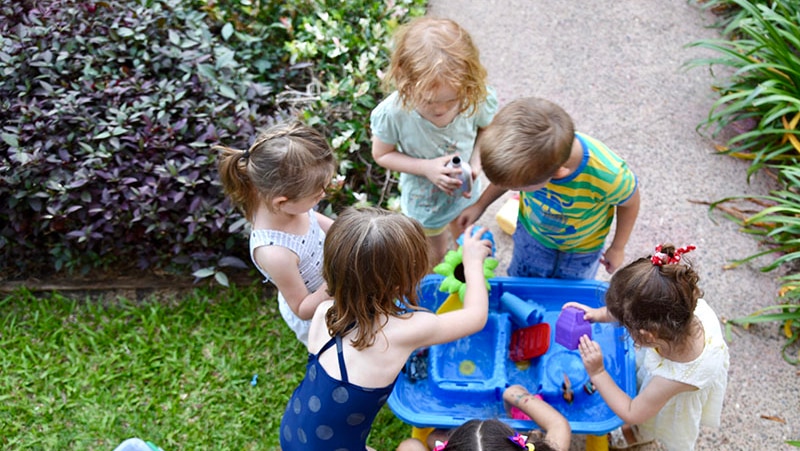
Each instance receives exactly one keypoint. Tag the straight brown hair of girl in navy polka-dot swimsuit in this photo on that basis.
(373, 261)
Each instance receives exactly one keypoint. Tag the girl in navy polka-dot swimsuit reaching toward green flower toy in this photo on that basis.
(374, 261)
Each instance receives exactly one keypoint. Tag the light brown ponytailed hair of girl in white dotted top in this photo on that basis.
(288, 159)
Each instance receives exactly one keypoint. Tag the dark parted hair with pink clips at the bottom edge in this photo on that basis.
(477, 435)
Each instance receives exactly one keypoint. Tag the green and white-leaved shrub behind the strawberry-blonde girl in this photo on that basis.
(348, 42)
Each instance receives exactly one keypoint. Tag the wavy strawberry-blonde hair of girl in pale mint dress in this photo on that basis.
(429, 53)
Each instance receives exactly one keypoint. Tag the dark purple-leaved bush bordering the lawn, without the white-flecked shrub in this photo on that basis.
(109, 111)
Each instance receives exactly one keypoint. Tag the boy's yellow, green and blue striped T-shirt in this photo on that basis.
(574, 214)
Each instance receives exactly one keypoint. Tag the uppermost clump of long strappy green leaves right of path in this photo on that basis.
(762, 48)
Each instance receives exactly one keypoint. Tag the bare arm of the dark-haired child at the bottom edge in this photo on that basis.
(556, 426)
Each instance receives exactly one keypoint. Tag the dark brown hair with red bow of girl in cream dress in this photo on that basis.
(657, 299)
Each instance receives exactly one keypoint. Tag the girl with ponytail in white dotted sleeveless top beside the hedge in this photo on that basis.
(276, 183)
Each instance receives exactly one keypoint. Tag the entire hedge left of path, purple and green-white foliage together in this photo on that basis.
(110, 109)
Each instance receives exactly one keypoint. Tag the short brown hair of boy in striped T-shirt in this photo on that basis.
(526, 143)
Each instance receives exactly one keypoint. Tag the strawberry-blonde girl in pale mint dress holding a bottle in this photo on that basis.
(440, 105)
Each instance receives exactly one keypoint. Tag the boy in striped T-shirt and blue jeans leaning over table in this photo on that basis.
(571, 186)
